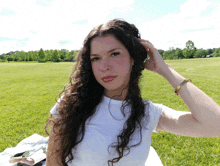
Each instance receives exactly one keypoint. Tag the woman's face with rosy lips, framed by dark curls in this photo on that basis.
(111, 65)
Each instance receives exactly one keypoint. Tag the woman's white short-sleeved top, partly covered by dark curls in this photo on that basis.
(102, 130)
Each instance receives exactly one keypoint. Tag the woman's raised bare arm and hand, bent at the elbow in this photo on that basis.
(203, 120)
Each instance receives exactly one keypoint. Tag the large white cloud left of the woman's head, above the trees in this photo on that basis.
(46, 24)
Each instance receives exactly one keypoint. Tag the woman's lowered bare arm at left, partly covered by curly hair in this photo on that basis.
(52, 159)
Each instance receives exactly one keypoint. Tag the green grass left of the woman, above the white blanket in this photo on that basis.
(27, 93)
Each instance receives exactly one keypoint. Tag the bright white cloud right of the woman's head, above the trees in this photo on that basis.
(174, 30)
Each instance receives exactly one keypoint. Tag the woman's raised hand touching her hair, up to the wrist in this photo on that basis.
(155, 61)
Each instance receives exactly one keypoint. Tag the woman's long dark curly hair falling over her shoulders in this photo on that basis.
(83, 93)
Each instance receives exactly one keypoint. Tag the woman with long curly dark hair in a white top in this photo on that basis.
(101, 118)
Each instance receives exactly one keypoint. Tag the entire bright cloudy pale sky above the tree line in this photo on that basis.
(63, 24)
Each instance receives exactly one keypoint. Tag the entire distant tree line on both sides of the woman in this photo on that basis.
(190, 51)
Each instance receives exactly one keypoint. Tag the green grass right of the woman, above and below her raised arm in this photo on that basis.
(180, 150)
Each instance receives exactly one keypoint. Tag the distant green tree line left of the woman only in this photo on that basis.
(40, 56)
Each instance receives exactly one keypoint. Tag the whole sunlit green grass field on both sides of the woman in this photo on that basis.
(28, 91)
